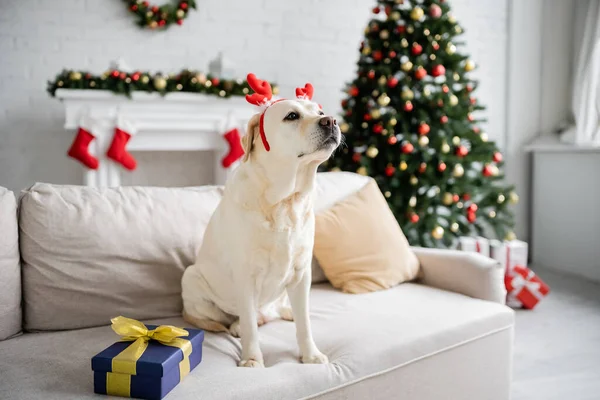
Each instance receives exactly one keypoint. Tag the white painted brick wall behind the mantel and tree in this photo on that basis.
(290, 42)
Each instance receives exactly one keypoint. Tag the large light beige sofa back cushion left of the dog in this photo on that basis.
(92, 254)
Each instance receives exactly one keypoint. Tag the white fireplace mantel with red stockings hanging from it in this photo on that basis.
(174, 122)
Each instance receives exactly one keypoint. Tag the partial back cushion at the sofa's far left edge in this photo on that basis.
(10, 268)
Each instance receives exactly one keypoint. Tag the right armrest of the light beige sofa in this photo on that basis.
(462, 272)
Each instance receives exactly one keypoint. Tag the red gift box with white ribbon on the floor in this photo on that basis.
(525, 288)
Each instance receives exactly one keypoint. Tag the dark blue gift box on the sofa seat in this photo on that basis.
(157, 371)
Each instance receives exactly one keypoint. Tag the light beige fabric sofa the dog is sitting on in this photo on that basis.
(85, 255)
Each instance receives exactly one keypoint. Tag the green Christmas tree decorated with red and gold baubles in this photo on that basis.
(409, 123)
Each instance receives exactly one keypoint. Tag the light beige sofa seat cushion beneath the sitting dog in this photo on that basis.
(363, 335)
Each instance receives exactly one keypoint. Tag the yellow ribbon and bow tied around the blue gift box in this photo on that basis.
(118, 382)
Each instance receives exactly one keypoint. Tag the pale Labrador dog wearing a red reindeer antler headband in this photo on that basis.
(254, 264)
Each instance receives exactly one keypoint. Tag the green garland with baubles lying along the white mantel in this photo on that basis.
(121, 82)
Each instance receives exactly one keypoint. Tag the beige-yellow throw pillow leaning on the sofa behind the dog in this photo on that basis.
(360, 245)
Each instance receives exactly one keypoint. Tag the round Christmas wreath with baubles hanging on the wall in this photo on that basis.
(153, 17)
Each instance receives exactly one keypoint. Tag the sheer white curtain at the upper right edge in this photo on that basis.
(586, 81)
